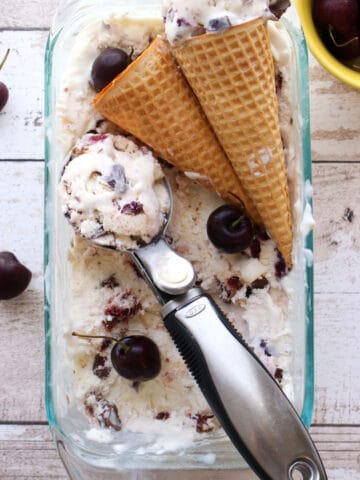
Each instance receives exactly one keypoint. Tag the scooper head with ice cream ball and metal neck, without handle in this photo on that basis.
(115, 195)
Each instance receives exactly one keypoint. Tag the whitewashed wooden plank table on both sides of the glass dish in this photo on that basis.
(26, 448)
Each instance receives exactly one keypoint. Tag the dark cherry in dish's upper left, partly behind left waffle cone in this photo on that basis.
(107, 65)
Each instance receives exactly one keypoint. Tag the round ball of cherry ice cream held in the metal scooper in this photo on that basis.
(113, 192)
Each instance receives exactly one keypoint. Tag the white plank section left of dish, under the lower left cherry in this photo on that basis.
(21, 319)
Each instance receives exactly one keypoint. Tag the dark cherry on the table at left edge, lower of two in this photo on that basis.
(14, 276)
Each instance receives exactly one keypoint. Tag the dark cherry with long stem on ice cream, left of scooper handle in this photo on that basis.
(135, 357)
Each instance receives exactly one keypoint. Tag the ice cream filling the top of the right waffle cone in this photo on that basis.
(188, 18)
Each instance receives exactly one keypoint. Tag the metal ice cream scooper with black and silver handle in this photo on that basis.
(254, 412)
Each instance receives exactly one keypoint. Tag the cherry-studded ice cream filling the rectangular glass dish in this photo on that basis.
(108, 297)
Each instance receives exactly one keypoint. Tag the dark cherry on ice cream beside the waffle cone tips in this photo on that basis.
(230, 229)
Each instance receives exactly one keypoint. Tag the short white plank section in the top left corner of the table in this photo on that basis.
(25, 14)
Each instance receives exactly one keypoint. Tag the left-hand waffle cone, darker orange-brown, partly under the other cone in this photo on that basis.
(152, 100)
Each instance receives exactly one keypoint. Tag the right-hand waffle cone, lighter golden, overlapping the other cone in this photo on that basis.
(232, 75)
